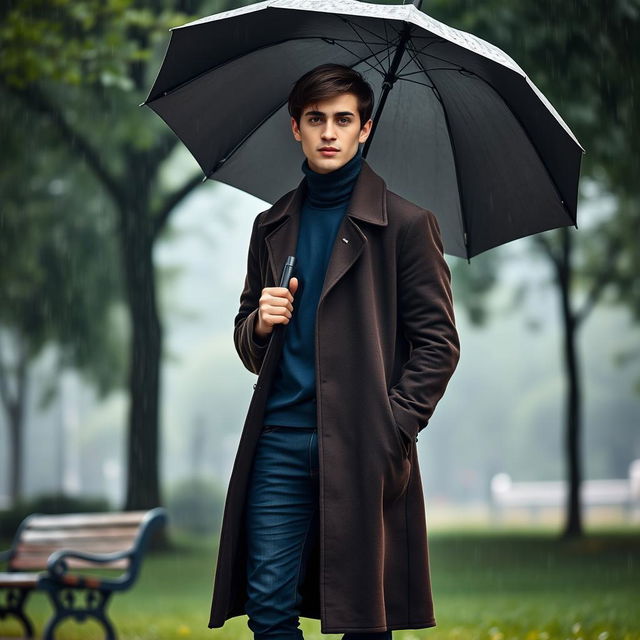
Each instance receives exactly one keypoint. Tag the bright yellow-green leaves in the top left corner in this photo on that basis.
(80, 43)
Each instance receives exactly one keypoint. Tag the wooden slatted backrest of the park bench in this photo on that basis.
(40, 535)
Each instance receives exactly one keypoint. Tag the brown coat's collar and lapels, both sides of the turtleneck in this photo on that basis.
(368, 203)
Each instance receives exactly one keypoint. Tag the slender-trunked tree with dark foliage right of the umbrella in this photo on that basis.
(583, 56)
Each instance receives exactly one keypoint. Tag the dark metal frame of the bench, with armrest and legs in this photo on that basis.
(65, 589)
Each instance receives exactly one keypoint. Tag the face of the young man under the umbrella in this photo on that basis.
(335, 123)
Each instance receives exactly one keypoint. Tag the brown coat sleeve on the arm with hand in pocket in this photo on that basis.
(427, 317)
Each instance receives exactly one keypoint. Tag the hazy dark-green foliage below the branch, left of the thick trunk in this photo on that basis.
(58, 281)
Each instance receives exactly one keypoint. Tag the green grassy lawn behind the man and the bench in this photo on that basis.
(514, 585)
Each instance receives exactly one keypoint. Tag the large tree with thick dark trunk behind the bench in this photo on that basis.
(76, 58)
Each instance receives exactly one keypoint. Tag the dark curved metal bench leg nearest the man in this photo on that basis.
(65, 606)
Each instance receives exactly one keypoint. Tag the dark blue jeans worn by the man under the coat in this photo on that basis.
(282, 522)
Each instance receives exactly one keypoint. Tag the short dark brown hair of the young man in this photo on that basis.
(327, 81)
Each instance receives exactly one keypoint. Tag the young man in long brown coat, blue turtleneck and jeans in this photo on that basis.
(325, 515)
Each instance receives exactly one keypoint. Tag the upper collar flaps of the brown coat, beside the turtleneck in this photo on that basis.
(368, 201)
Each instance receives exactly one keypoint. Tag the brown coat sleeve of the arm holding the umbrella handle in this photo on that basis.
(250, 348)
